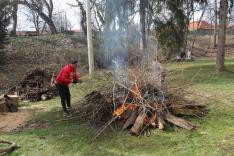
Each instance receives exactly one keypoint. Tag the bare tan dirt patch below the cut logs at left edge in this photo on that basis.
(10, 121)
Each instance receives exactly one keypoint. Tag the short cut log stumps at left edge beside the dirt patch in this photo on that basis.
(9, 103)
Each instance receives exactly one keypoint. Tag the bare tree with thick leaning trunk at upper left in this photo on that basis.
(44, 8)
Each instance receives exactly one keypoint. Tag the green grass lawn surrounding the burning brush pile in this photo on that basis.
(214, 135)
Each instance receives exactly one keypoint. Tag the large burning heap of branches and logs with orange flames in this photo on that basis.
(139, 99)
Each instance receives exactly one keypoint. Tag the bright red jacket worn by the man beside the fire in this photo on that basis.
(66, 75)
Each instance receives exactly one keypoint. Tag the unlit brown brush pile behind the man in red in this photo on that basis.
(35, 85)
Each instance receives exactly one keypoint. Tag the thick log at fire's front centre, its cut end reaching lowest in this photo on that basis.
(136, 129)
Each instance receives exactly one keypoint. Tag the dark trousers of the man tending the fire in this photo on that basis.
(65, 96)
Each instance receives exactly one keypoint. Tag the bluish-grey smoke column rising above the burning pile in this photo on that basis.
(115, 34)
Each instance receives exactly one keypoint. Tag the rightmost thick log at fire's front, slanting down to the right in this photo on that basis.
(179, 122)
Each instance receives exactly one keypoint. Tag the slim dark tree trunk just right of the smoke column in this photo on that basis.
(142, 24)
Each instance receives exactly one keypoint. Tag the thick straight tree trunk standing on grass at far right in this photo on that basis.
(222, 35)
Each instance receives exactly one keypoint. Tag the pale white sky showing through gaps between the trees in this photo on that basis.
(61, 6)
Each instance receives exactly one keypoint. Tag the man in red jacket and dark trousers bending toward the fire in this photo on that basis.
(66, 76)
